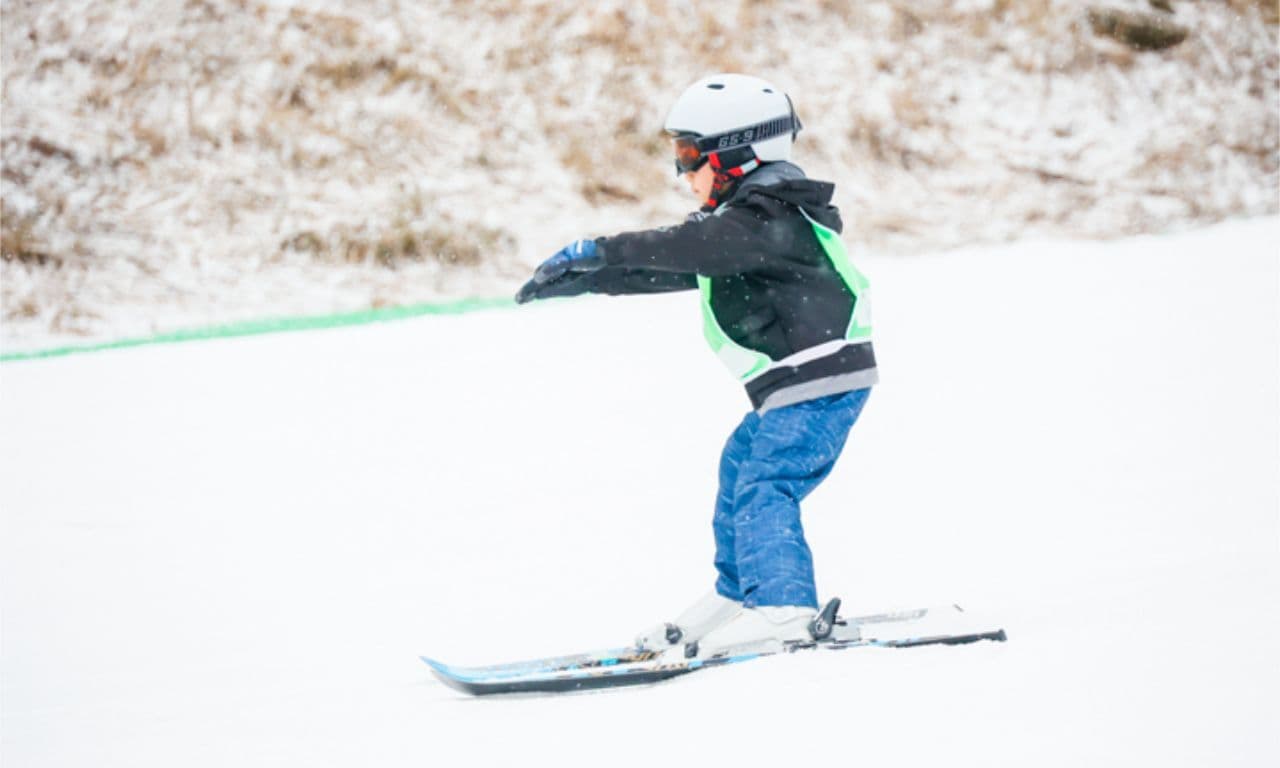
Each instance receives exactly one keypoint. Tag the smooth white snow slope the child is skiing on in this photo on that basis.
(231, 554)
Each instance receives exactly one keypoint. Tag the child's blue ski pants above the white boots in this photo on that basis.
(770, 465)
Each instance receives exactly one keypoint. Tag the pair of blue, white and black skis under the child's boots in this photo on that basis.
(630, 666)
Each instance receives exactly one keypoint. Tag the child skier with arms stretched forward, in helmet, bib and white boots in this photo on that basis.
(785, 310)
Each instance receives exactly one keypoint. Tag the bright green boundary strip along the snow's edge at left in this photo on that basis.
(273, 326)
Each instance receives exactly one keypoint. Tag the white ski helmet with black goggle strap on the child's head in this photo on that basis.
(726, 112)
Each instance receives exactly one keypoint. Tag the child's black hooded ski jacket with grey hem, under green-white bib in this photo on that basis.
(774, 289)
